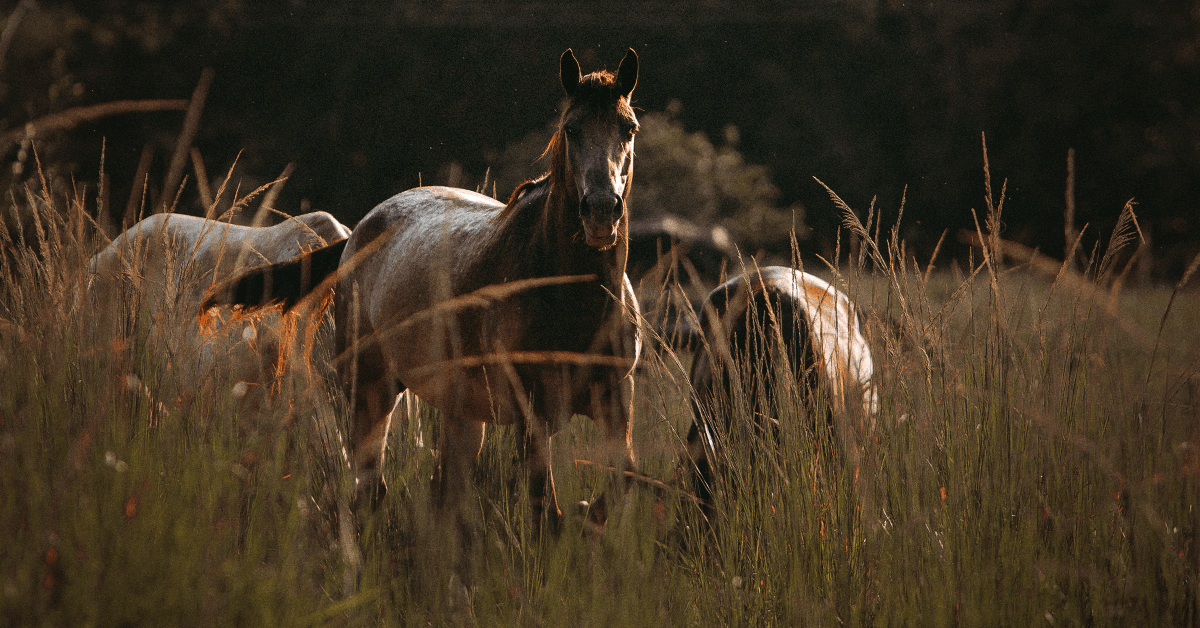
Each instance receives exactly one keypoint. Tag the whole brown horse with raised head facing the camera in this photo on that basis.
(511, 314)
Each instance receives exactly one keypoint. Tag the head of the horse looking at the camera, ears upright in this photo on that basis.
(596, 146)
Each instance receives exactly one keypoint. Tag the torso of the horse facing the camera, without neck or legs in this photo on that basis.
(451, 278)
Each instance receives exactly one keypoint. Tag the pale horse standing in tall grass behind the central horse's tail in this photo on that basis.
(160, 268)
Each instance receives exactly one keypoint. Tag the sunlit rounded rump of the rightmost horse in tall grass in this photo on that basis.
(778, 345)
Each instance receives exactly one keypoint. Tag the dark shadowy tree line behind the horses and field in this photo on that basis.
(874, 98)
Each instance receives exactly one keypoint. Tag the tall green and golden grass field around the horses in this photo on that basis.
(1035, 463)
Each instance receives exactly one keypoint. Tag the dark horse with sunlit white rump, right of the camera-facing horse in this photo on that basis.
(754, 326)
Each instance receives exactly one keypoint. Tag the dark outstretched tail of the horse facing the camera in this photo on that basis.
(286, 283)
